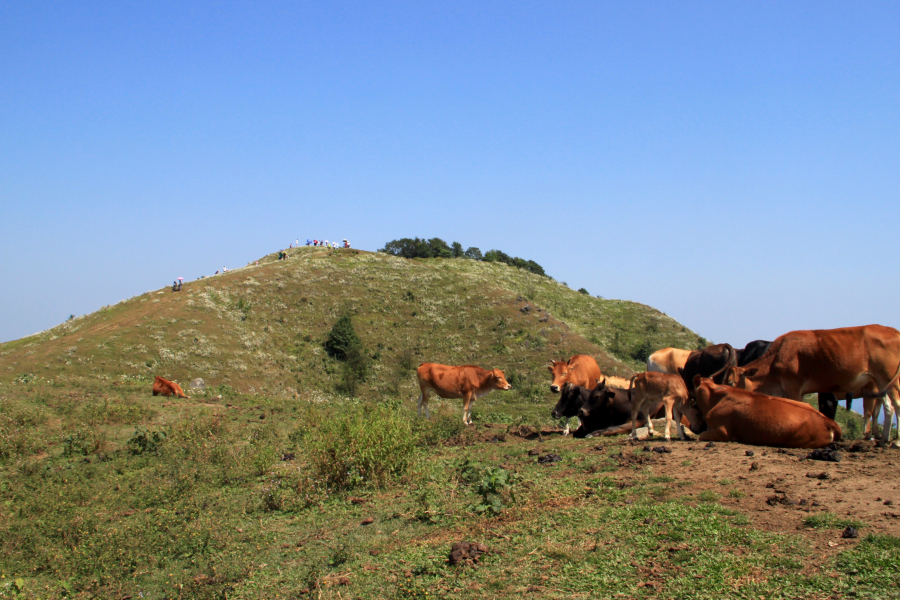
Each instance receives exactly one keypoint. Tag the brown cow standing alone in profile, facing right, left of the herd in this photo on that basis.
(467, 382)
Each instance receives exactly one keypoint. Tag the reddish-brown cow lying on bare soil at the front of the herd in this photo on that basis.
(736, 415)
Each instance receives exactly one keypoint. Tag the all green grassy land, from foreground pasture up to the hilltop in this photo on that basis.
(271, 484)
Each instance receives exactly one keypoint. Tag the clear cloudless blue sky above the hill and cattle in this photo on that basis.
(733, 164)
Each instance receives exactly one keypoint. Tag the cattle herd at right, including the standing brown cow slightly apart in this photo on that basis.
(752, 395)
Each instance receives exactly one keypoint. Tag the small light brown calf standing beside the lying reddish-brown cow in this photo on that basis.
(650, 389)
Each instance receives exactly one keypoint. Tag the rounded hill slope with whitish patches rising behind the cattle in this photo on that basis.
(259, 329)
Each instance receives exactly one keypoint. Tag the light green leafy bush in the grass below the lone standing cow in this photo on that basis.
(361, 446)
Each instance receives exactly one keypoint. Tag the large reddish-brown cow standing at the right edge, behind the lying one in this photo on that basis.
(862, 361)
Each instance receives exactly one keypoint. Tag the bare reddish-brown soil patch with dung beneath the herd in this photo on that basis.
(776, 489)
